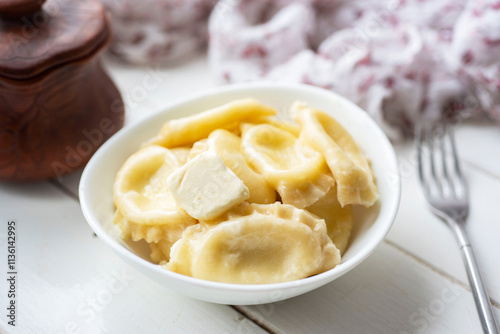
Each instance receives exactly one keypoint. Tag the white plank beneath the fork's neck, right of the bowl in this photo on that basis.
(418, 231)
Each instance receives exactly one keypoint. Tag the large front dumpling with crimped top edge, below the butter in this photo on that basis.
(255, 244)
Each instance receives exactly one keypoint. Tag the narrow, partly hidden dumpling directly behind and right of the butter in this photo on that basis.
(227, 145)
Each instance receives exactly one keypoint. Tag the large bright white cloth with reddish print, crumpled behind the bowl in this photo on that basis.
(402, 61)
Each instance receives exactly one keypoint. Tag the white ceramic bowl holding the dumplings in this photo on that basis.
(371, 225)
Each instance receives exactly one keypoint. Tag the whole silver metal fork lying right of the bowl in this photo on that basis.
(446, 192)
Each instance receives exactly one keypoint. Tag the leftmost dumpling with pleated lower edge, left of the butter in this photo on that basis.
(142, 197)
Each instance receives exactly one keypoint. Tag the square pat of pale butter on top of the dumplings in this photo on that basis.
(205, 187)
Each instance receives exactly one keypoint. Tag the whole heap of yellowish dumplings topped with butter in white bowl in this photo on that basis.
(237, 194)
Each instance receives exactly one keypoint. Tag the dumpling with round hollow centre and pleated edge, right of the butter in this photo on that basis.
(297, 172)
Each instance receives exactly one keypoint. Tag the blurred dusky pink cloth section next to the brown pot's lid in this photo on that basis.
(157, 31)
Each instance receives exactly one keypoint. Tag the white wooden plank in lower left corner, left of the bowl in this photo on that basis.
(69, 282)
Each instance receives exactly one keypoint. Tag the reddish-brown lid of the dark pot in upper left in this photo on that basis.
(36, 35)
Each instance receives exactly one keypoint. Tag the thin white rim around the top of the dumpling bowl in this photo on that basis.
(339, 270)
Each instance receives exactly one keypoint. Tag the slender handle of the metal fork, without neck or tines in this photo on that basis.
(481, 298)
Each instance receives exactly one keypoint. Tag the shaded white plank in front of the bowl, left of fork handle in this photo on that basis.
(388, 293)
